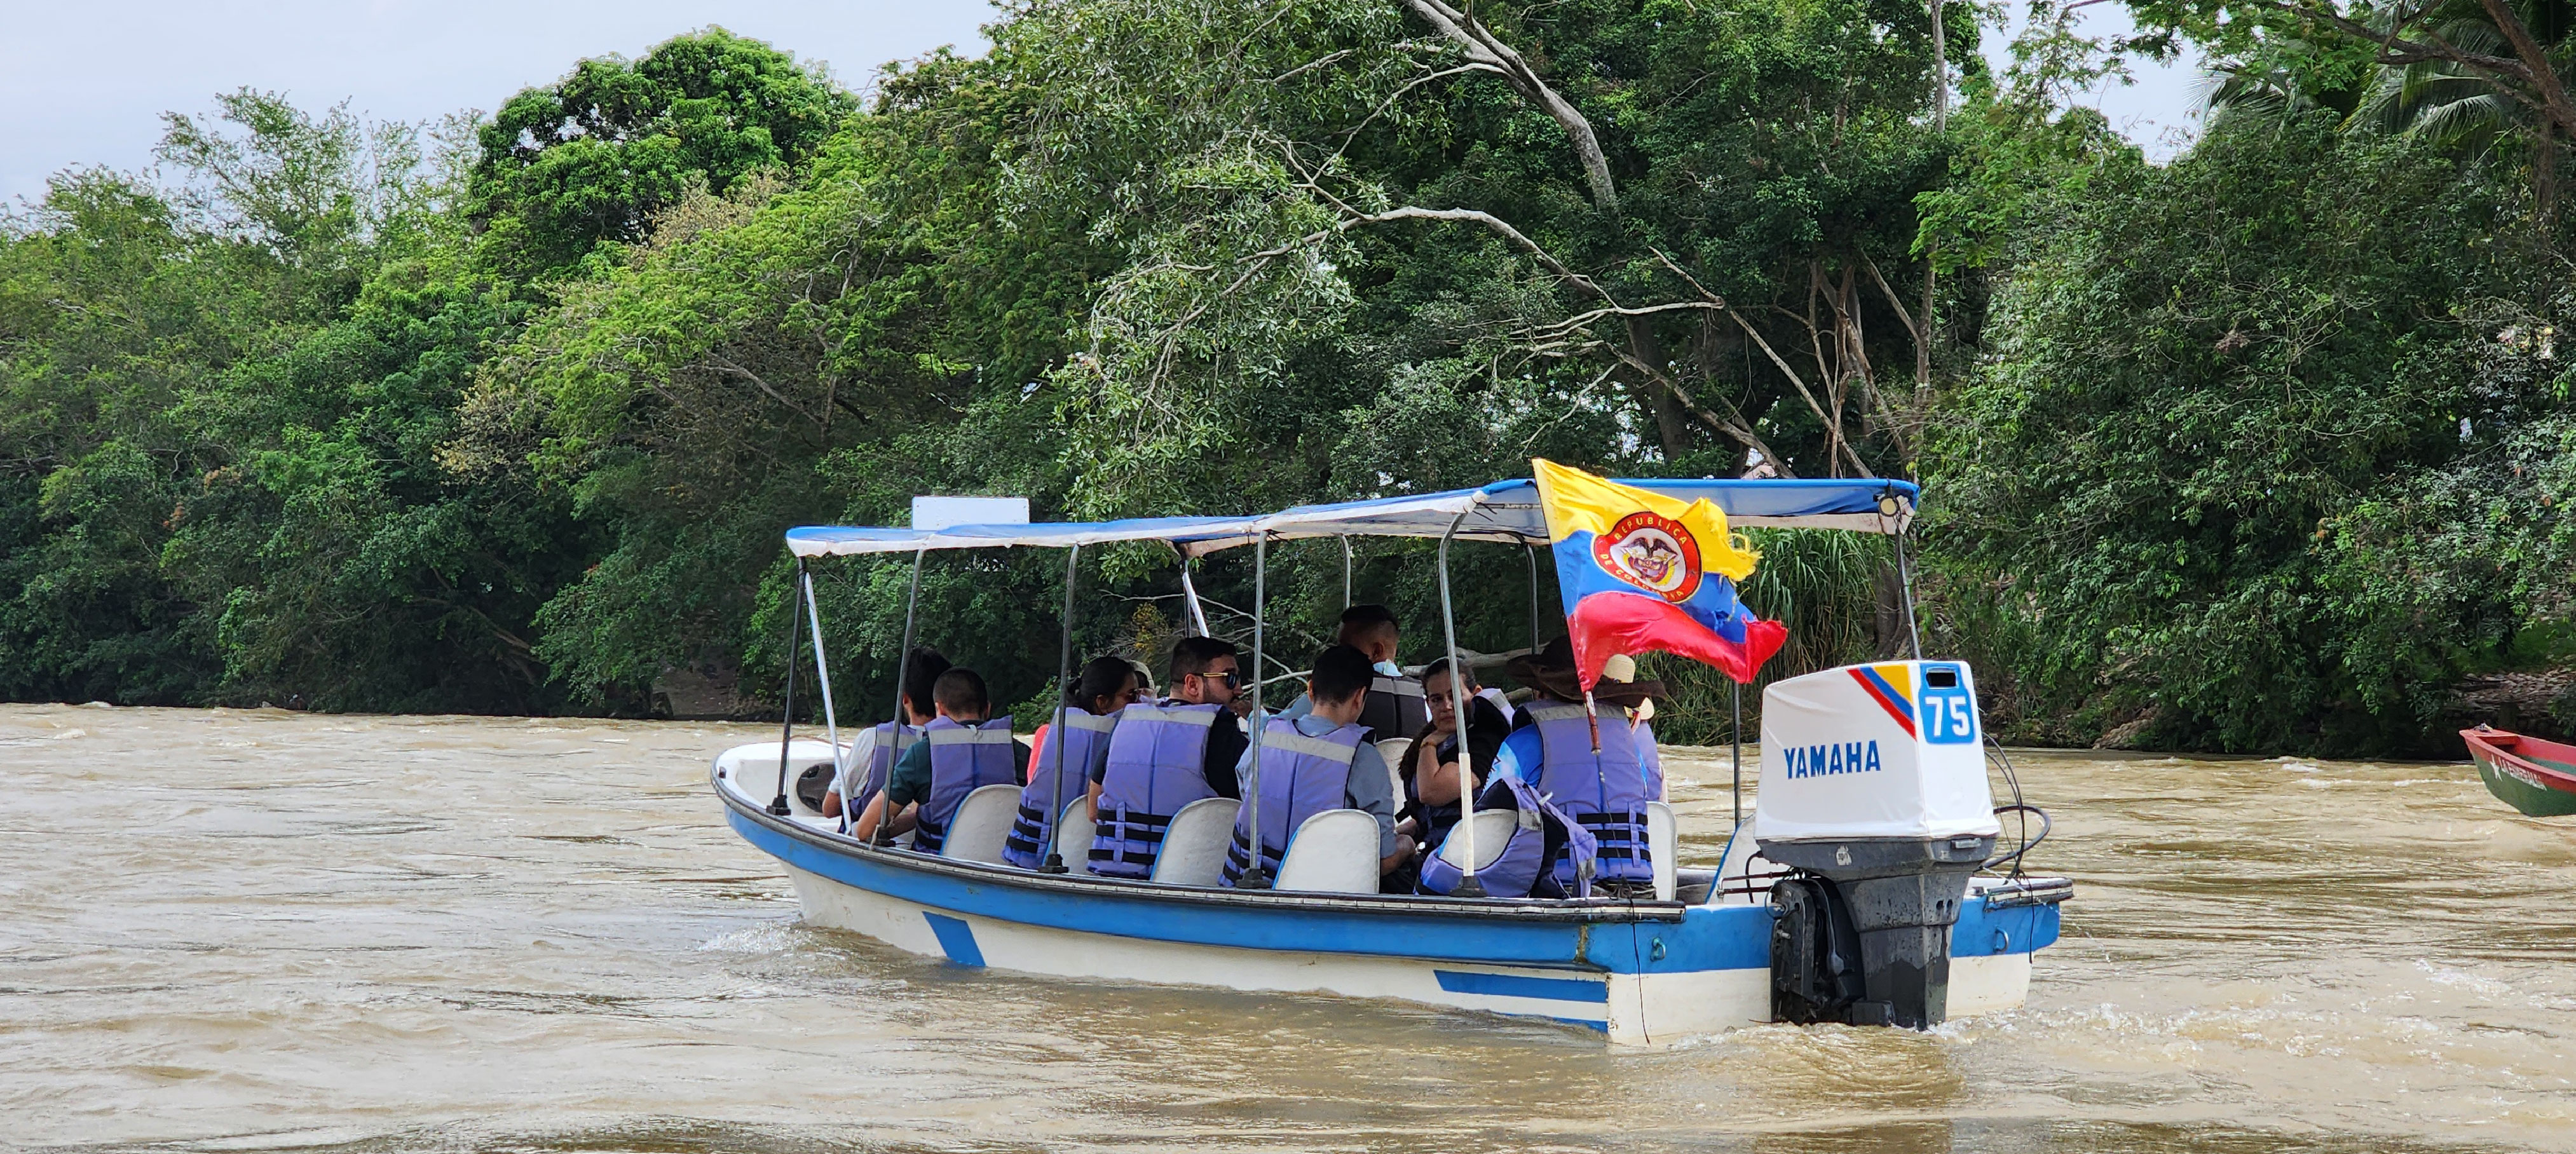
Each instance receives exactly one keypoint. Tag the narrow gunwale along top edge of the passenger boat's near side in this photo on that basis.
(1086, 885)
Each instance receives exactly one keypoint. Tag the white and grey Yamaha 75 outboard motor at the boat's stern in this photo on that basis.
(1874, 787)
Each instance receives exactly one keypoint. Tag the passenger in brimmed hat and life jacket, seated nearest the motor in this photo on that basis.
(1604, 792)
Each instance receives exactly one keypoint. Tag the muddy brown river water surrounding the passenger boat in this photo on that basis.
(246, 931)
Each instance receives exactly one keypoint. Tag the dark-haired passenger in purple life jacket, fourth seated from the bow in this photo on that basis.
(1315, 764)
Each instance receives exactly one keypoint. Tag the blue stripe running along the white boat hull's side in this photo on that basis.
(1704, 939)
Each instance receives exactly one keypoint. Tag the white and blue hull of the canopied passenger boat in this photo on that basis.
(1640, 972)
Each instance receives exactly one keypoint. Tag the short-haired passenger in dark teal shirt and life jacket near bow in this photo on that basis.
(960, 753)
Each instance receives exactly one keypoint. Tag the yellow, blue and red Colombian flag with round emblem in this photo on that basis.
(1642, 573)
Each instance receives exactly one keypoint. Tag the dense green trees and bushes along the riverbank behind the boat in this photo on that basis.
(2258, 449)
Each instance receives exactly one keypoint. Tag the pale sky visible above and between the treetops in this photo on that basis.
(86, 81)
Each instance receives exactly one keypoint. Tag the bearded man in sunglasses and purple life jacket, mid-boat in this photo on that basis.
(1168, 756)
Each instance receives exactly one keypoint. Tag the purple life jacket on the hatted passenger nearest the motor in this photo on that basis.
(1604, 792)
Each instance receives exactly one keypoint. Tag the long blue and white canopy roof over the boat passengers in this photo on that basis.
(1503, 511)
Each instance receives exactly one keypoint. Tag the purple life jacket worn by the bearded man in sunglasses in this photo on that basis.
(1158, 761)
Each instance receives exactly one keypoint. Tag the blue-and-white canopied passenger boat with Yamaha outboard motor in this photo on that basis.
(1768, 934)
